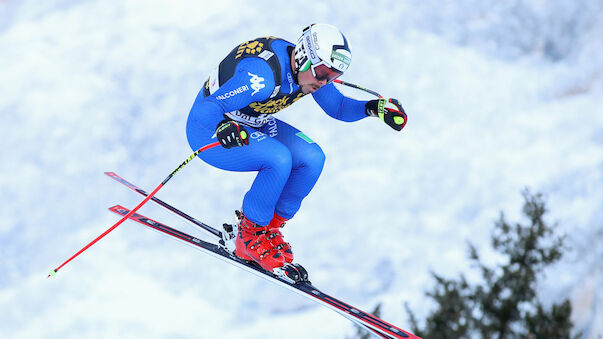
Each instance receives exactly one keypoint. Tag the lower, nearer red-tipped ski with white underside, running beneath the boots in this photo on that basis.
(305, 288)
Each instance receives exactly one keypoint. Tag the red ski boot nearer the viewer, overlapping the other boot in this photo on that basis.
(252, 244)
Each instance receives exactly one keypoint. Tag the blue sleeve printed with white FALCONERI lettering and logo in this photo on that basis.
(252, 81)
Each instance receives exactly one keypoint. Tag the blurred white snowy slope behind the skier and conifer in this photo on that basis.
(501, 95)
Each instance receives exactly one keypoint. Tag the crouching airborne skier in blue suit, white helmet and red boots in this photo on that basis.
(255, 80)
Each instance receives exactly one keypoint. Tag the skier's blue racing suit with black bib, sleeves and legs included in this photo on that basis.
(251, 84)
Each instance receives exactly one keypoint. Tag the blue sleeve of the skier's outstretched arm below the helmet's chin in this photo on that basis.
(339, 106)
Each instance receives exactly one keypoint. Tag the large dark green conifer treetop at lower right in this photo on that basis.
(504, 305)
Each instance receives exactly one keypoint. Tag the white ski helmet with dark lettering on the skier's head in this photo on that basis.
(325, 50)
